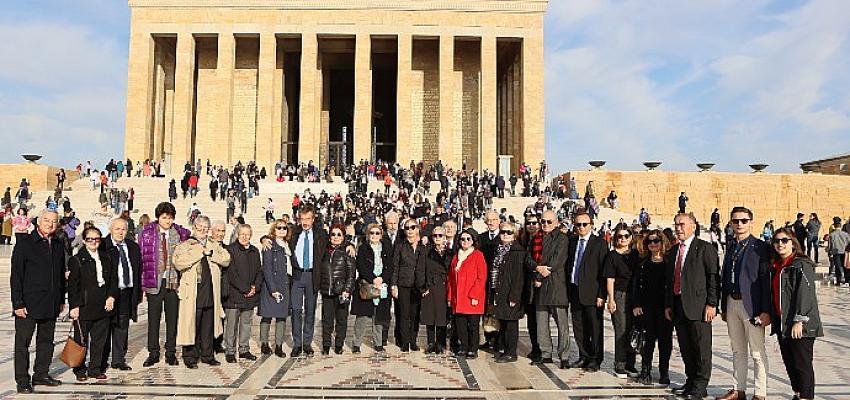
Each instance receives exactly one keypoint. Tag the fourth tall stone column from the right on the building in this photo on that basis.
(403, 107)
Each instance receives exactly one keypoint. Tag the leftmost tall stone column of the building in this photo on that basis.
(140, 81)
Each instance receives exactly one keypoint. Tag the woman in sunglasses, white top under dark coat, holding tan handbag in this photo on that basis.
(374, 265)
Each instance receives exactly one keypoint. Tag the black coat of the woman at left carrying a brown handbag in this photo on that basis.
(83, 289)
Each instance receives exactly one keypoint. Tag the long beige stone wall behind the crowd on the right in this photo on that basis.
(771, 196)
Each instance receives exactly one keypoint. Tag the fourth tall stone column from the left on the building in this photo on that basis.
(268, 146)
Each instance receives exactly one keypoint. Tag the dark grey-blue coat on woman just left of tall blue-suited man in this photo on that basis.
(275, 279)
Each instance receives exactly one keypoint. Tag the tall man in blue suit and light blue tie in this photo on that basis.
(310, 242)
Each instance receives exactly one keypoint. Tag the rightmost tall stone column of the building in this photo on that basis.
(533, 140)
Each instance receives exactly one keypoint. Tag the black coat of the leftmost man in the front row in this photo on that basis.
(38, 276)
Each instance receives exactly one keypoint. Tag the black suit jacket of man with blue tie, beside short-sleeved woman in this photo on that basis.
(591, 280)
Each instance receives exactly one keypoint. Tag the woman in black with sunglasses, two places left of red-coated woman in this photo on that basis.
(408, 258)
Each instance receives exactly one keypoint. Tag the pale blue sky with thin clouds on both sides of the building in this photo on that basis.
(725, 81)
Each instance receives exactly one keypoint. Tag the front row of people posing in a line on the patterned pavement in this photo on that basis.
(455, 282)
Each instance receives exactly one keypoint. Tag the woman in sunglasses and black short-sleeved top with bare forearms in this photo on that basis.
(620, 264)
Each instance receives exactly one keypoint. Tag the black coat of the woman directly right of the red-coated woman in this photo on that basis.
(510, 288)
